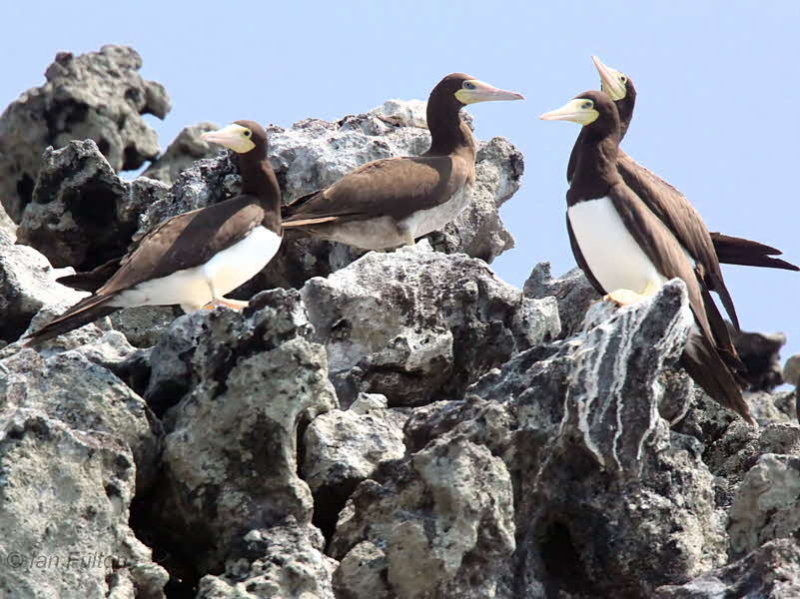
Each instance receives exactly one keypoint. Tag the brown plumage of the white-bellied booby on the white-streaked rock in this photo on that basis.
(709, 356)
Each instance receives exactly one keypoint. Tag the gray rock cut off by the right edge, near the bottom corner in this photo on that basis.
(767, 504)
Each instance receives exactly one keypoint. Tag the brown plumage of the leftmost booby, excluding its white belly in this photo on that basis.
(182, 242)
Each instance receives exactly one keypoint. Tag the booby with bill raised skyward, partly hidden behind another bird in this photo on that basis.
(671, 206)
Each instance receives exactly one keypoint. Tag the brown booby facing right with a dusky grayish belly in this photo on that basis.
(391, 202)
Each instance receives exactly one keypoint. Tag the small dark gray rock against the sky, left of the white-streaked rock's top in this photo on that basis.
(573, 292)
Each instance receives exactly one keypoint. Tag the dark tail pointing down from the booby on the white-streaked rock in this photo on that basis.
(704, 364)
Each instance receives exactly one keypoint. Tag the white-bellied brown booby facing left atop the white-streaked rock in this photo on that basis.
(627, 251)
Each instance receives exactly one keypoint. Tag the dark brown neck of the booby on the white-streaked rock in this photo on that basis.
(595, 166)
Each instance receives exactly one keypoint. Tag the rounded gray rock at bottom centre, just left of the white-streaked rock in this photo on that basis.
(438, 524)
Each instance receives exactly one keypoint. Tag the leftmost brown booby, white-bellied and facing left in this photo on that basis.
(194, 259)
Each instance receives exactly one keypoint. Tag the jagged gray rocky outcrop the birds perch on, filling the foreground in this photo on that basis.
(400, 424)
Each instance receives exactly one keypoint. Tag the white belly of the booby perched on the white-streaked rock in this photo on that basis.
(613, 256)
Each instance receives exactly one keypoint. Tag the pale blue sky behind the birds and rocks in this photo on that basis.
(717, 110)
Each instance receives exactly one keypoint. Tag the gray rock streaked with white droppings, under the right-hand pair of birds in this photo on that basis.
(608, 502)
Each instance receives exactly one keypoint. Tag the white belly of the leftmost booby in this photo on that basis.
(190, 287)
